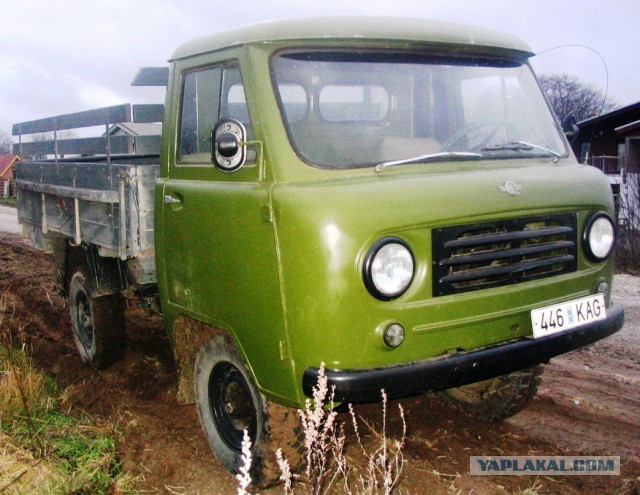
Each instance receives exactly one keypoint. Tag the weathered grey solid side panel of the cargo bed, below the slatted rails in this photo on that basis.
(83, 201)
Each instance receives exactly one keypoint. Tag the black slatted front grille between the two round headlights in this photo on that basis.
(493, 254)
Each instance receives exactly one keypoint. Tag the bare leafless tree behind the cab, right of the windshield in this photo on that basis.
(570, 97)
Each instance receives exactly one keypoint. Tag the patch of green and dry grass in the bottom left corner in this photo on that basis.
(42, 449)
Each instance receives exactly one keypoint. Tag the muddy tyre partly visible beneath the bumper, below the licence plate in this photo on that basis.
(497, 398)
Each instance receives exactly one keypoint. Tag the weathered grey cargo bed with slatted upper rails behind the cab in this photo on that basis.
(103, 200)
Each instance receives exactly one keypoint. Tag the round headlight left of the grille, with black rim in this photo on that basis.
(388, 268)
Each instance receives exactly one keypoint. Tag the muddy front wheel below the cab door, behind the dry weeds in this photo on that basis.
(229, 402)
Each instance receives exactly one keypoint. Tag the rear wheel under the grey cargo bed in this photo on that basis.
(97, 323)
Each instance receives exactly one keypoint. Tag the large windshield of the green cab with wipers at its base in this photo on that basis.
(350, 110)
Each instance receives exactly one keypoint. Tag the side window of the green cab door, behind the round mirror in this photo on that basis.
(208, 95)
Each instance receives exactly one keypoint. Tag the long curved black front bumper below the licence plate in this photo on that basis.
(461, 368)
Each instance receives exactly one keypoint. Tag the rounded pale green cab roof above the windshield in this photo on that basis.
(366, 29)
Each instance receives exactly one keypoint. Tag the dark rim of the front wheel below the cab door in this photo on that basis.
(232, 408)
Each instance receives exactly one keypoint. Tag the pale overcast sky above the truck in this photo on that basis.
(63, 56)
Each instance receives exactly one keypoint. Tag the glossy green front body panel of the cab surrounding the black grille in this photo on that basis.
(325, 229)
